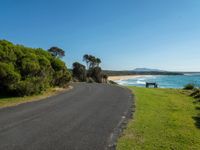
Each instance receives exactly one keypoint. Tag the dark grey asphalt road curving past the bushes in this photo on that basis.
(85, 118)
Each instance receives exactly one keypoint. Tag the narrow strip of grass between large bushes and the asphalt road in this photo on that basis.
(6, 101)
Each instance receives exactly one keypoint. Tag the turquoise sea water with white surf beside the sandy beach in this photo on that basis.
(164, 81)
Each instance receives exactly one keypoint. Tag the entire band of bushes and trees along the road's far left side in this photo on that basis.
(28, 71)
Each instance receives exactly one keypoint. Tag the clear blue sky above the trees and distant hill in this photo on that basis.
(125, 34)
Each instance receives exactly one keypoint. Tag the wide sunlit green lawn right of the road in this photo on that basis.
(163, 120)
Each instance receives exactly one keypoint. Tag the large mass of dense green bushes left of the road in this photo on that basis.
(28, 71)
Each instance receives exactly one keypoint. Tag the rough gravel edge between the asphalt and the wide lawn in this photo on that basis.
(128, 115)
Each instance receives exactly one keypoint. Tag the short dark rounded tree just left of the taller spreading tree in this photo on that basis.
(79, 71)
